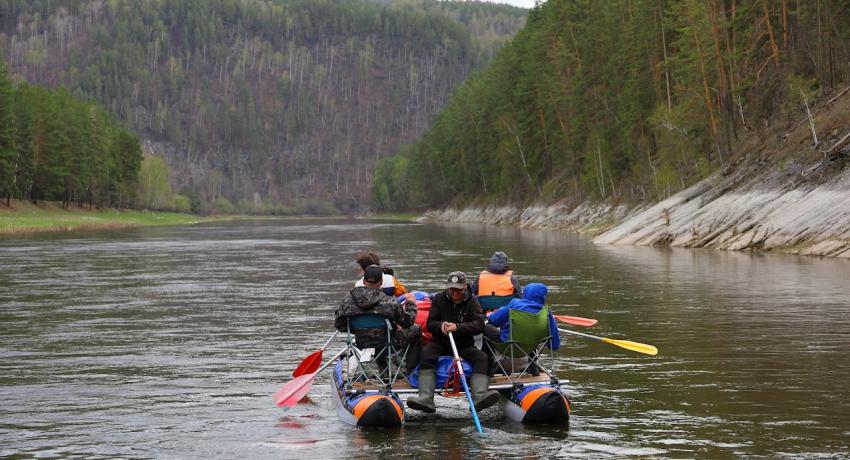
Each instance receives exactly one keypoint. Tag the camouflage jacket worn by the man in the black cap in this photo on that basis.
(364, 301)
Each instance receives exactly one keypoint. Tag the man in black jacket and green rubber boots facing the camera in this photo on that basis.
(454, 310)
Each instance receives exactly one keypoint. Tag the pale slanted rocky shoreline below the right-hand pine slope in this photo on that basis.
(799, 208)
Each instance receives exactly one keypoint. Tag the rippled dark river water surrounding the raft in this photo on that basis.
(168, 342)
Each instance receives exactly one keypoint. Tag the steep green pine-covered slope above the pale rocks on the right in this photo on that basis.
(623, 99)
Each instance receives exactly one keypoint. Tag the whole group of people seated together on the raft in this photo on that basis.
(456, 310)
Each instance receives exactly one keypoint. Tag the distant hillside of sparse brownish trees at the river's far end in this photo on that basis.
(273, 103)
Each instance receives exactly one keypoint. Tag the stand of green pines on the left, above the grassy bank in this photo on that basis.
(56, 147)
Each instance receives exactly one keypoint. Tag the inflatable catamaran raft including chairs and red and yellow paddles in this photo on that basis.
(368, 385)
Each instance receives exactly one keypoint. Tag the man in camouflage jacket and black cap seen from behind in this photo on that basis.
(369, 299)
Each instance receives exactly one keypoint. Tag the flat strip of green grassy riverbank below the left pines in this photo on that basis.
(25, 217)
